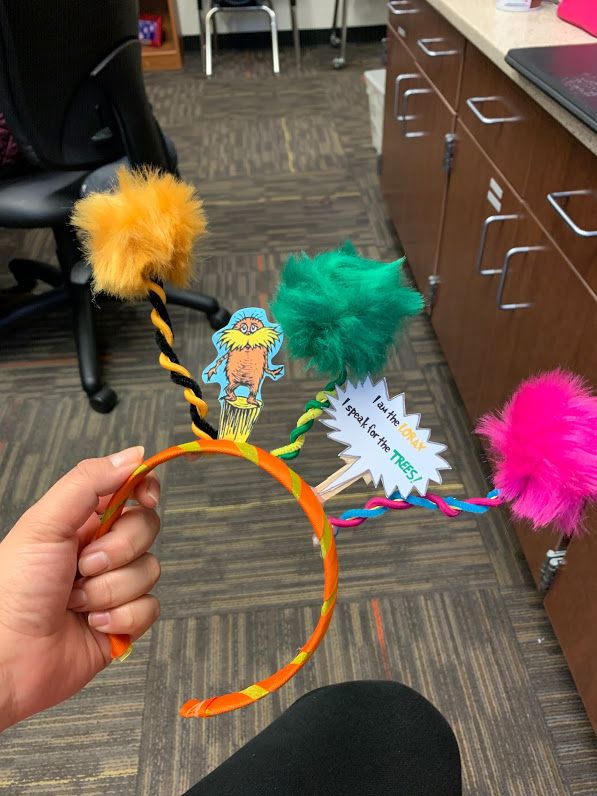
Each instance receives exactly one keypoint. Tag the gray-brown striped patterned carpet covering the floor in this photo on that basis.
(445, 606)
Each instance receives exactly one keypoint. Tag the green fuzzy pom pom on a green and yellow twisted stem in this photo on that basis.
(339, 310)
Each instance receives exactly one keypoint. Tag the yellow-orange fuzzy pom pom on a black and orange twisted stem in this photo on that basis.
(145, 229)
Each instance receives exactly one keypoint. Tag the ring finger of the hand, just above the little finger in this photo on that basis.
(117, 587)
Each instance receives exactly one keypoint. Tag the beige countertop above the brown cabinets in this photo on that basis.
(495, 32)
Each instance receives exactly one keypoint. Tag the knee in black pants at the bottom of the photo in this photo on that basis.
(373, 738)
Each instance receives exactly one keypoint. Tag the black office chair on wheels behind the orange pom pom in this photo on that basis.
(72, 91)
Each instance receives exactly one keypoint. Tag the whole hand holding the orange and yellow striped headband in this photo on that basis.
(60, 593)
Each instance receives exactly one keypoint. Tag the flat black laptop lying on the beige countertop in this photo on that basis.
(568, 73)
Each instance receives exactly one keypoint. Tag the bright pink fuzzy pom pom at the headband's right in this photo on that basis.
(544, 443)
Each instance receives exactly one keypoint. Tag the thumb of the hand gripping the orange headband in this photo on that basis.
(74, 498)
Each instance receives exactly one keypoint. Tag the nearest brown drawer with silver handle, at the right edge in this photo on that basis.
(564, 195)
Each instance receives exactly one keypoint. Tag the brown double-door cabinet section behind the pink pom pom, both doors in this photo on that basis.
(490, 349)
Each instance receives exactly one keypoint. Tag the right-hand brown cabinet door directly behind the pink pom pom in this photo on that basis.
(542, 316)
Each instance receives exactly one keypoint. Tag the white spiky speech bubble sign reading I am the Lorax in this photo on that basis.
(384, 441)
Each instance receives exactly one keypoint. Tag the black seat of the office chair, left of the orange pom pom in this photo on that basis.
(39, 199)
